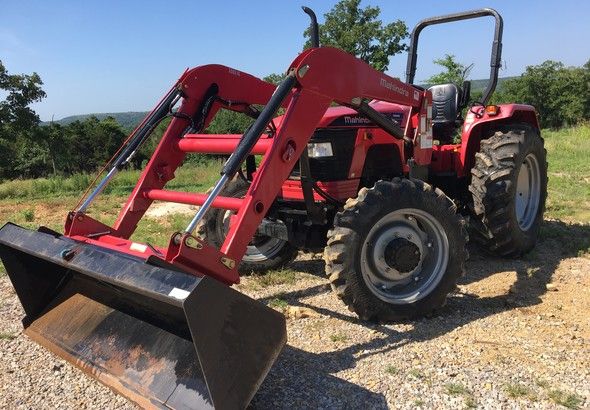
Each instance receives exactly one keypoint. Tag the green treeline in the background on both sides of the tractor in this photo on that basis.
(560, 94)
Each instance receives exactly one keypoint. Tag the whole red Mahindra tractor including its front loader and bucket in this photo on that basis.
(380, 174)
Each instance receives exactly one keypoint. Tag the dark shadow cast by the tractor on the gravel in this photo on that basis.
(305, 380)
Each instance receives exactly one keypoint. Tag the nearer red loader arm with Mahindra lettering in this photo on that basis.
(323, 75)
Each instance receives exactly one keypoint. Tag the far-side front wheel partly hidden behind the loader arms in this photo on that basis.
(263, 253)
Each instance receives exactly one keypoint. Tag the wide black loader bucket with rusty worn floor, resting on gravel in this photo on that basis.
(161, 337)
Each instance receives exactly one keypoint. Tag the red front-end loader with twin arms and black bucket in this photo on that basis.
(161, 325)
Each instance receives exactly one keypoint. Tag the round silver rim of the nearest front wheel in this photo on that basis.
(420, 233)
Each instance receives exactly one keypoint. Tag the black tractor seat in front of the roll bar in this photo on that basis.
(445, 110)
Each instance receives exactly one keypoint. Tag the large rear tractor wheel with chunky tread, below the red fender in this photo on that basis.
(509, 189)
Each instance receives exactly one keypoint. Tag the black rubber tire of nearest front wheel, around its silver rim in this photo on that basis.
(391, 197)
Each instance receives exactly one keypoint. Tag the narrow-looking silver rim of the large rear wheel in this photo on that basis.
(528, 192)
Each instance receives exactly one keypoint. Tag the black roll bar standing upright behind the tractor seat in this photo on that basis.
(496, 46)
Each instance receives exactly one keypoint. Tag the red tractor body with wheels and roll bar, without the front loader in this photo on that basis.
(385, 188)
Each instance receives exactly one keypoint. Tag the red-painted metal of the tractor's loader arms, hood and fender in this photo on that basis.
(330, 75)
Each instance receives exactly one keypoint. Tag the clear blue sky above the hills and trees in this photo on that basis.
(109, 56)
